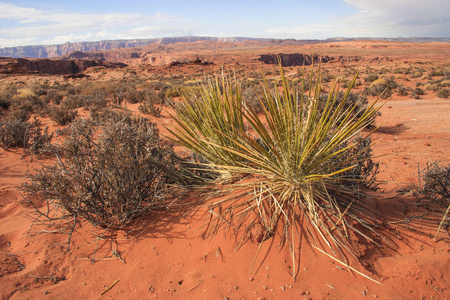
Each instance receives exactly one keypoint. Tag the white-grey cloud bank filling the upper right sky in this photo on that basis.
(380, 18)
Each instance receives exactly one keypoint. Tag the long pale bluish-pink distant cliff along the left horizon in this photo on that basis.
(67, 48)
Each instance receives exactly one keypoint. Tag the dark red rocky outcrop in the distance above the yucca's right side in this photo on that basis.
(297, 59)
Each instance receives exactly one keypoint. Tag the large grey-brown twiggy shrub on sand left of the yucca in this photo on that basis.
(112, 177)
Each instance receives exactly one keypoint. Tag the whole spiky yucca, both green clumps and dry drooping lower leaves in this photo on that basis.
(295, 155)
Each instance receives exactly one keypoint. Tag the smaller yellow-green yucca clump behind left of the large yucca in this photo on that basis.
(212, 121)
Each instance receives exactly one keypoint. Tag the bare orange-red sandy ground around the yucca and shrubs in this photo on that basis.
(165, 257)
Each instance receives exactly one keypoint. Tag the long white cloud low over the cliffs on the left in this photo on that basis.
(47, 27)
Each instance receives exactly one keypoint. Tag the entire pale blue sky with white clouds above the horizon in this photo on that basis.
(32, 22)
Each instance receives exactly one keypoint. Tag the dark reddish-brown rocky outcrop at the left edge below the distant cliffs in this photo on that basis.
(50, 66)
